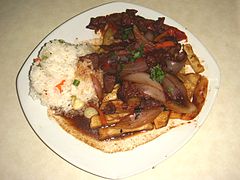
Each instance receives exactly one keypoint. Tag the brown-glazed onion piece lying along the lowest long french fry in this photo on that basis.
(137, 120)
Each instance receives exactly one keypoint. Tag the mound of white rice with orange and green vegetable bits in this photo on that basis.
(54, 71)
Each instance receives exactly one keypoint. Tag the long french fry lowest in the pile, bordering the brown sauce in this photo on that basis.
(105, 133)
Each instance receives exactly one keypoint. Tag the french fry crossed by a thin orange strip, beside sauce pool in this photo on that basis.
(111, 119)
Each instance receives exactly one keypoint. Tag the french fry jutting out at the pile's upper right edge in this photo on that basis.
(193, 59)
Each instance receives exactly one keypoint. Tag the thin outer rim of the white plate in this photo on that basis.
(82, 12)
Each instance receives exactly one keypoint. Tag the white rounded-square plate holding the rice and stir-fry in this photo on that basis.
(117, 165)
